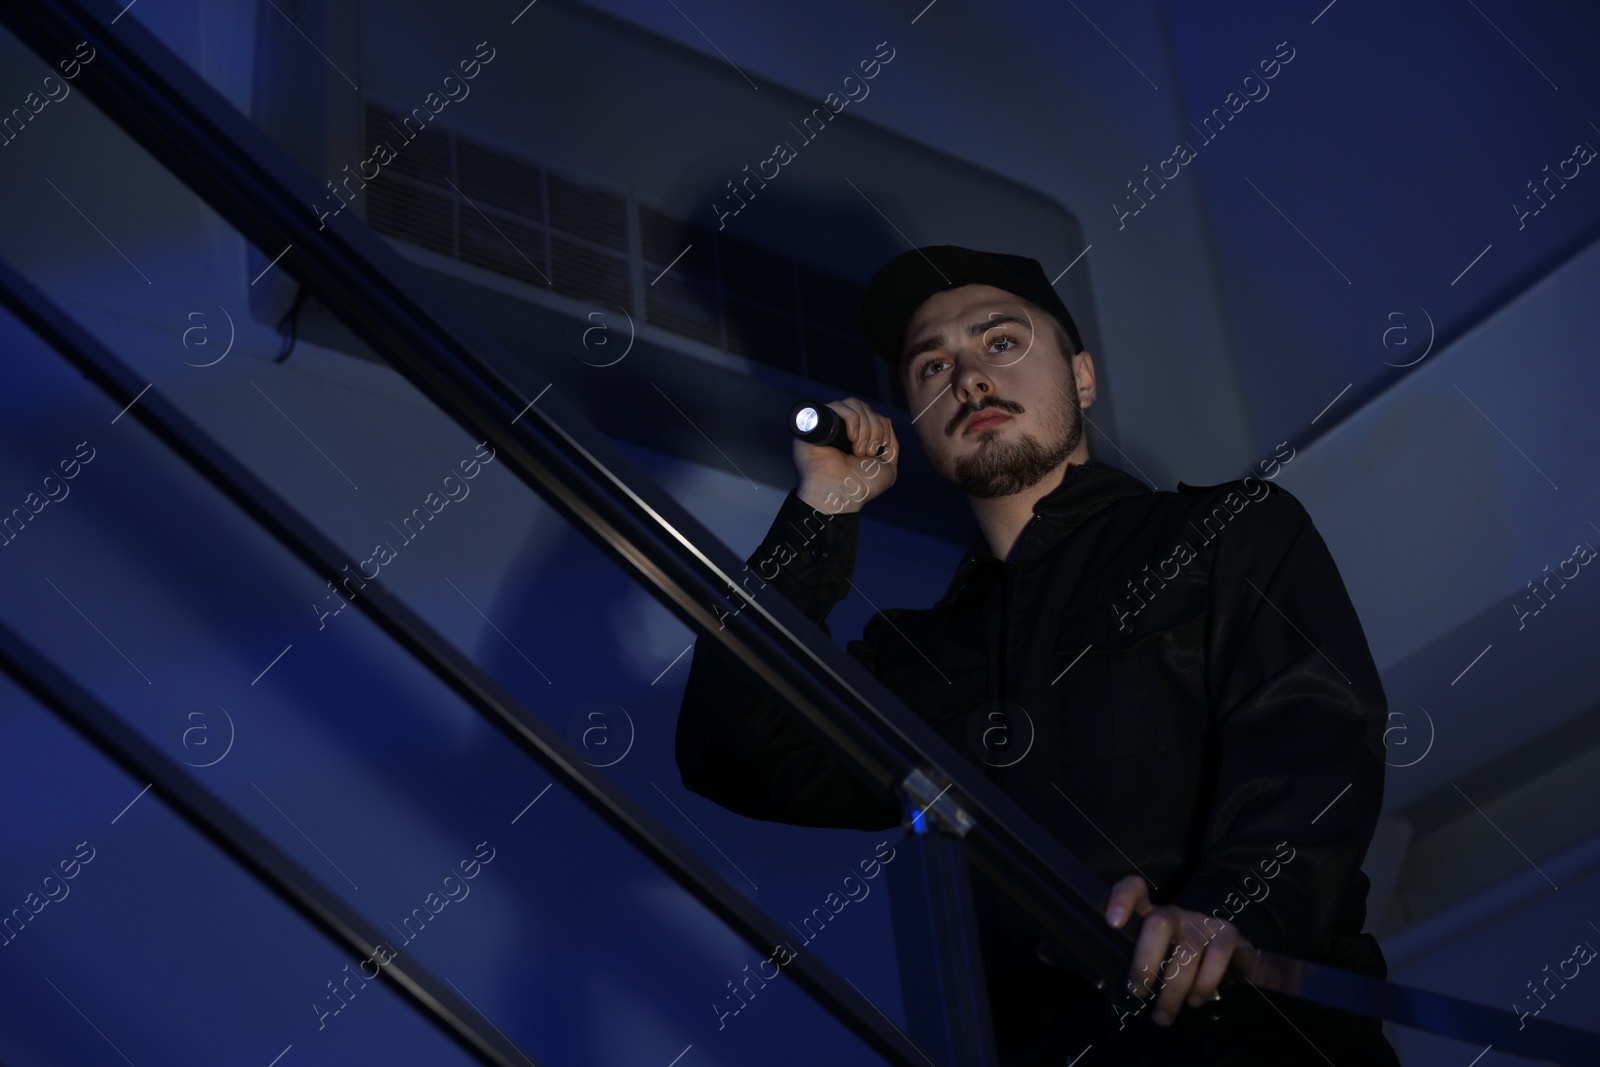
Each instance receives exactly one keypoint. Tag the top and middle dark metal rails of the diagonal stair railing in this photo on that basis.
(225, 159)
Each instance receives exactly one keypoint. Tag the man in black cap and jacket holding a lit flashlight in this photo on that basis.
(1174, 684)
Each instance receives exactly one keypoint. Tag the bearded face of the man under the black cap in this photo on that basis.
(996, 406)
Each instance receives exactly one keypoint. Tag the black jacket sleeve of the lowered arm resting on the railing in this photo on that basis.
(1298, 713)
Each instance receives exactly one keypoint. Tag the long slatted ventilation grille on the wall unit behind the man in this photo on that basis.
(532, 223)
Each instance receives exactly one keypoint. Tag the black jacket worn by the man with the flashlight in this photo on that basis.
(1174, 684)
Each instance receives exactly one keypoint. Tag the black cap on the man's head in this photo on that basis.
(898, 290)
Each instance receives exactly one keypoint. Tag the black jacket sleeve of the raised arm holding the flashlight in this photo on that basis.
(737, 745)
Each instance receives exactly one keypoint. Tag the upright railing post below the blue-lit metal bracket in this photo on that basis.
(937, 933)
